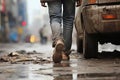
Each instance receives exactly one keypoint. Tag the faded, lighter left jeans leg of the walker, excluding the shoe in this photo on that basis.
(55, 14)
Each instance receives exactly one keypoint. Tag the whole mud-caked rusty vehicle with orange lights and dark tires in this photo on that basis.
(97, 20)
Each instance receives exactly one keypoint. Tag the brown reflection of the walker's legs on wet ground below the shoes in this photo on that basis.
(65, 71)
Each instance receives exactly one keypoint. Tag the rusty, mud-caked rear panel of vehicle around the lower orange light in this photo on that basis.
(94, 23)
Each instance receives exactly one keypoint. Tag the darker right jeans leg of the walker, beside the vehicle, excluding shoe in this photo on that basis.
(68, 18)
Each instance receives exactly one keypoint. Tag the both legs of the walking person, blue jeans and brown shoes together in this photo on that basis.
(61, 33)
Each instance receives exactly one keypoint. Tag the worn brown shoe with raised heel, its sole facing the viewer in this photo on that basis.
(57, 54)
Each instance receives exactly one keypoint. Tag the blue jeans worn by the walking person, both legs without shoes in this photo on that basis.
(56, 19)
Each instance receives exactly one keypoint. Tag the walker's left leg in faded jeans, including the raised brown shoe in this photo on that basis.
(55, 9)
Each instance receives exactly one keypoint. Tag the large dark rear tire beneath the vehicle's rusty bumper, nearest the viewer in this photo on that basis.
(90, 46)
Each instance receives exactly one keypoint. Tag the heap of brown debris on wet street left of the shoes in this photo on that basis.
(23, 56)
